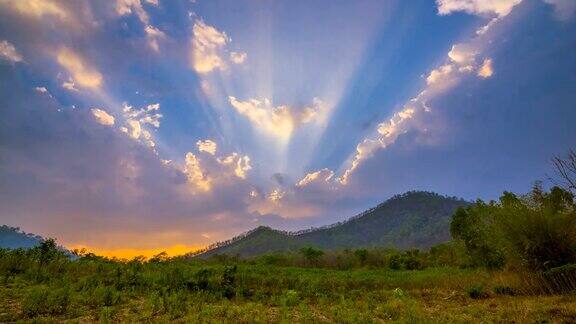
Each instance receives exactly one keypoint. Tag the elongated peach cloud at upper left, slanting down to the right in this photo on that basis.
(82, 74)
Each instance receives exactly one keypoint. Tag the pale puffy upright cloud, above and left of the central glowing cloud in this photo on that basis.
(207, 46)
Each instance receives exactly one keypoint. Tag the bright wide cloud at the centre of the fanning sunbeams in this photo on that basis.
(279, 121)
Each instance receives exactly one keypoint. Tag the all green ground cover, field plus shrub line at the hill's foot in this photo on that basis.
(310, 285)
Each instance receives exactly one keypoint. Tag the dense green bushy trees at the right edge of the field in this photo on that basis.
(536, 232)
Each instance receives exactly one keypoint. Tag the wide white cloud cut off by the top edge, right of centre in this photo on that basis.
(500, 8)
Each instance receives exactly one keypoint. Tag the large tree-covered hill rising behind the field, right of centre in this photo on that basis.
(415, 219)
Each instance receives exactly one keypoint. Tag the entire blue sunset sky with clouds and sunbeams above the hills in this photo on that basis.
(132, 127)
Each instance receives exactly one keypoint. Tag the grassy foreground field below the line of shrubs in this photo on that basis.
(198, 292)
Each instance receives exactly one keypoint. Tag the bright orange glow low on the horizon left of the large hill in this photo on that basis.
(130, 253)
